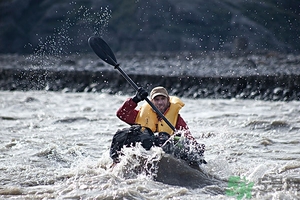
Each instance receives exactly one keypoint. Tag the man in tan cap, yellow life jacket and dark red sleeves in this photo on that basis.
(146, 116)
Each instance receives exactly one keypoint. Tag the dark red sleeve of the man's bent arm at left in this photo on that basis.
(127, 112)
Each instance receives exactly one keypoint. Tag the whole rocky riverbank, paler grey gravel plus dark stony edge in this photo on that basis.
(193, 75)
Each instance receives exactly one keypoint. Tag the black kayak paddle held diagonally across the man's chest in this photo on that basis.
(103, 51)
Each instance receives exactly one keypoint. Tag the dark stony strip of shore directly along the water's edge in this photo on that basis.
(264, 87)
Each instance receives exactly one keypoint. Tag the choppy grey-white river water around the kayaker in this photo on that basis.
(55, 145)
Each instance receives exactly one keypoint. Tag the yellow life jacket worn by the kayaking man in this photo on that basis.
(147, 116)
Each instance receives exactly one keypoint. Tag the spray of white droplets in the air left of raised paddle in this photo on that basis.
(52, 51)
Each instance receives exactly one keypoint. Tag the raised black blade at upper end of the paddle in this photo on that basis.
(102, 50)
